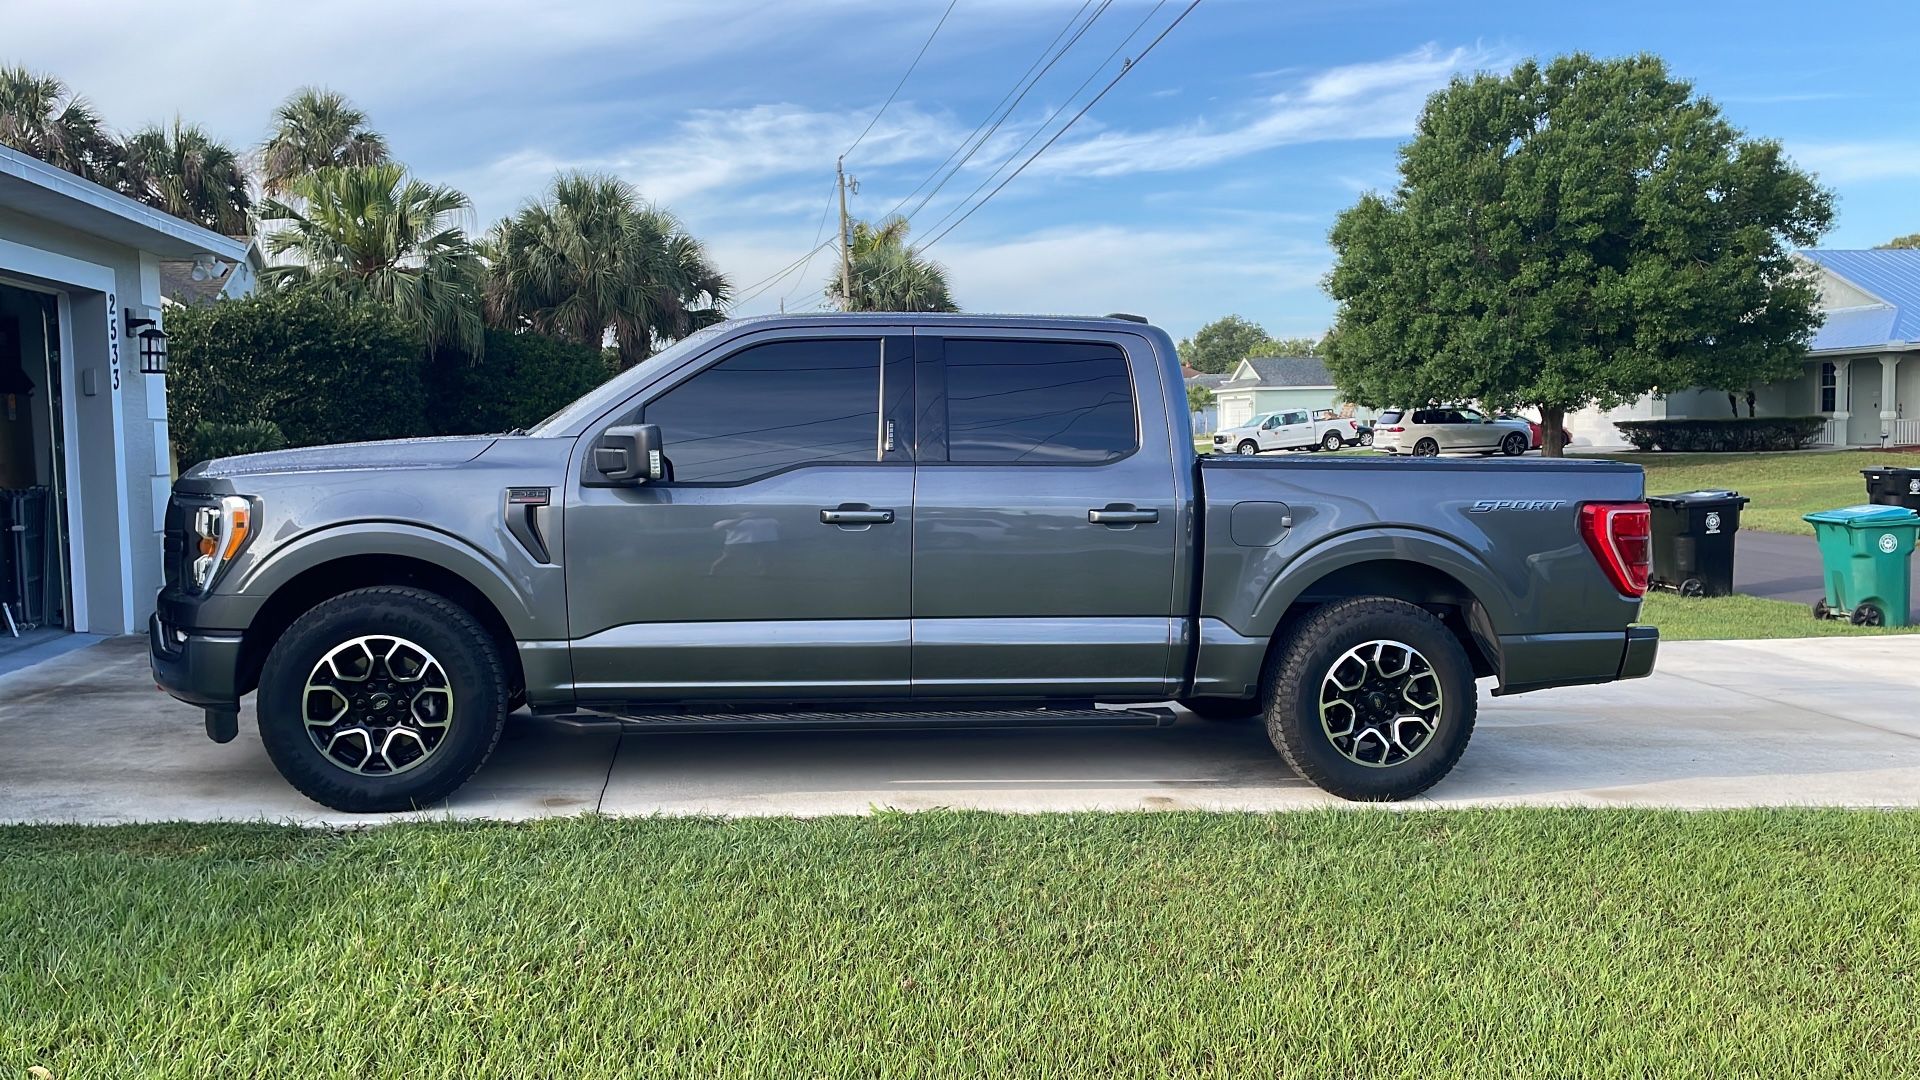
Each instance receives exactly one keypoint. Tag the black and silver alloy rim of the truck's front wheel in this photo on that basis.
(377, 706)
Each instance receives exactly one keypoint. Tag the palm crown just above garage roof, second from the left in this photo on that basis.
(187, 174)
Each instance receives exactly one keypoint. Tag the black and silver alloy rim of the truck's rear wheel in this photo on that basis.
(1381, 702)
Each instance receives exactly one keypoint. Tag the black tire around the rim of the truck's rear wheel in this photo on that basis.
(1293, 683)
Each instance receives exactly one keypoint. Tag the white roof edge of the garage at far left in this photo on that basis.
(55, 195)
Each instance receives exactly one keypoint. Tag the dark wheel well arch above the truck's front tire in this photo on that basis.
(364, 572)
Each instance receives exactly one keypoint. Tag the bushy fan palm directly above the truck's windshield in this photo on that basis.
(594, 258)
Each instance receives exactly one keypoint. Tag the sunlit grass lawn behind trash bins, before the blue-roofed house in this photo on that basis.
(1781, 485)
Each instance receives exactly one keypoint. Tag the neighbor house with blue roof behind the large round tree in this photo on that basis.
(1861, 372)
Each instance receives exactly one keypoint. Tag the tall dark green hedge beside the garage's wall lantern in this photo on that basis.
(320, 370)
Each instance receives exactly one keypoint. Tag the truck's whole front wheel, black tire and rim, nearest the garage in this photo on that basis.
(383, 700)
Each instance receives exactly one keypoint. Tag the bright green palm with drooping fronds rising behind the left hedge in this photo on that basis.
(373, 233)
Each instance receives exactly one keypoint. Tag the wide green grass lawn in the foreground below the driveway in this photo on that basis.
(944, 945)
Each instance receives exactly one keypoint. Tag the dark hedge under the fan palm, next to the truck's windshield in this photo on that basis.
(521, 380)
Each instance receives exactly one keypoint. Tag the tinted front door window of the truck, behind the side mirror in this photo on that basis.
(771, 408)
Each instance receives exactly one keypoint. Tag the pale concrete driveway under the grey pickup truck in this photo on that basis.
(87, 739)
